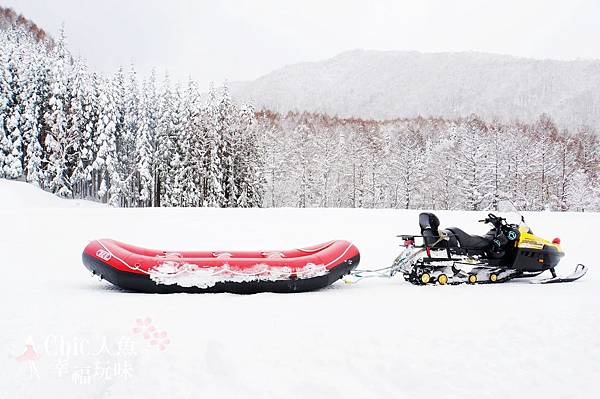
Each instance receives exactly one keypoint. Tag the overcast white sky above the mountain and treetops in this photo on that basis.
(244, 39)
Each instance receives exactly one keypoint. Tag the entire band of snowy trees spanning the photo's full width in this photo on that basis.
(131, 142)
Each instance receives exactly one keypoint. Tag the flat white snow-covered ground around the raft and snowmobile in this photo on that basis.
(377, 338)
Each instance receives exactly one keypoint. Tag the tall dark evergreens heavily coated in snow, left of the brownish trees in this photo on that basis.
(113, 139)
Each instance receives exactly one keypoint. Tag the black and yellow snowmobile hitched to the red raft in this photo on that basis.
(452, 256)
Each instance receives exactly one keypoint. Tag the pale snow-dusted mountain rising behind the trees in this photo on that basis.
(391, 84)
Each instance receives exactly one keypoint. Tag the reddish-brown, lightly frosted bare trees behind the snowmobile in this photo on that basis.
(427, 163)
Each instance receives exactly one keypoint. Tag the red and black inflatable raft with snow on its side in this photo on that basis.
(147, 270)
